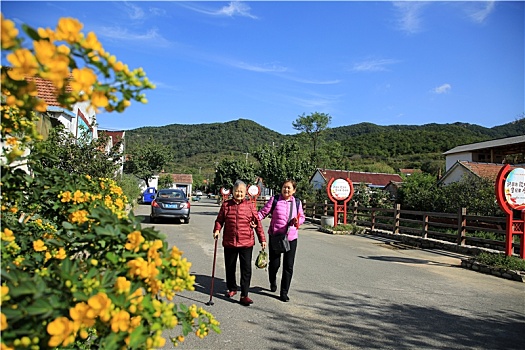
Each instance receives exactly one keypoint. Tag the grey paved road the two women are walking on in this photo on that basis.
(351, 292)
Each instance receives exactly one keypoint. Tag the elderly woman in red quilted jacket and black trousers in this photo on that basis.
(236, 216)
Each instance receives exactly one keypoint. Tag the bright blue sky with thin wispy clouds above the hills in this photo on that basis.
(382, 62)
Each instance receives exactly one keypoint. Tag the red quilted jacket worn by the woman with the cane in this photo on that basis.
(235, 218)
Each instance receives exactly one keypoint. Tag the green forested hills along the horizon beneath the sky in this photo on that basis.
(199, 146)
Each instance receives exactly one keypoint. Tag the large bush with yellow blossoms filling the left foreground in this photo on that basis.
(78, 271)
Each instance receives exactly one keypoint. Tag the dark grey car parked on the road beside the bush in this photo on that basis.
(170, 204)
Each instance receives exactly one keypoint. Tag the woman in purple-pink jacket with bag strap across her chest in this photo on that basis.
(287, 215)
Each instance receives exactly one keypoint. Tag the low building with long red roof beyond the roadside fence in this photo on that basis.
(372, 180)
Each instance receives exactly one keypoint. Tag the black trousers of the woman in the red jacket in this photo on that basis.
(245, 262)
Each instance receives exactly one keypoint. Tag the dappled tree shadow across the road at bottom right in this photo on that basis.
(363, 322)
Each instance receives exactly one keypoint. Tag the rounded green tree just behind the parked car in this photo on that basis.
(146, 159)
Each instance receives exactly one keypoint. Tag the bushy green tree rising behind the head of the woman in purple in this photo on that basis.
(287, 161)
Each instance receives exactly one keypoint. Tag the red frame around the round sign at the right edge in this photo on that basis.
(514, 226)
